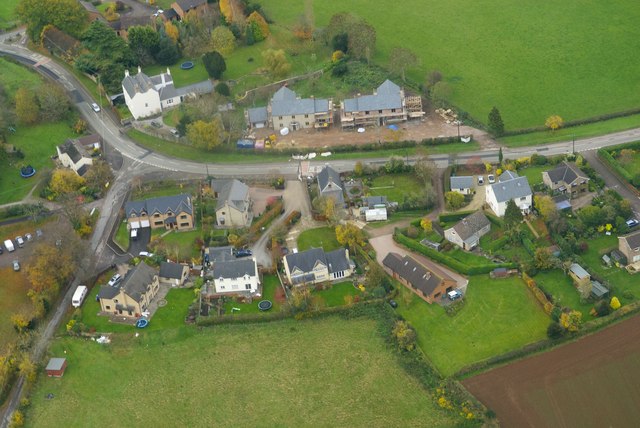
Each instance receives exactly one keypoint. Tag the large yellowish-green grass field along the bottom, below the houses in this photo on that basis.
(236, 375)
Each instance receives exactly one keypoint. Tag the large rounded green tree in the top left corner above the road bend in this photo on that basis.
(67, 15)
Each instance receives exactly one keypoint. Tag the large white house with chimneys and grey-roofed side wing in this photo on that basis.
(148, 96)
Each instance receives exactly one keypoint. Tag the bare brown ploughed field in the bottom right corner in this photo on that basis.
(593, 382)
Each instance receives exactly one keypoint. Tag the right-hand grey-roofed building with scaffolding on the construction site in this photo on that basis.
(388, 104)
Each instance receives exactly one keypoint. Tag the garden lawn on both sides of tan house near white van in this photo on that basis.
(166, 317)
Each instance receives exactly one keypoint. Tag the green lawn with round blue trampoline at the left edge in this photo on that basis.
(38, 143)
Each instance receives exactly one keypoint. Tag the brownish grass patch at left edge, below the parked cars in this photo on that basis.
(13, 299)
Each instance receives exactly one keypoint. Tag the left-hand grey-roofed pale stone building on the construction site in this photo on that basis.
(287, 110)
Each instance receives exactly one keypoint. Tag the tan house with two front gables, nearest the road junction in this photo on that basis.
(169, 212)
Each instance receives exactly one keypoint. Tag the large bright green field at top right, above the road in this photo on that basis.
(545, 57)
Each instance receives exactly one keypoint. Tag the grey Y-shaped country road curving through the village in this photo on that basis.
(141, 161)
